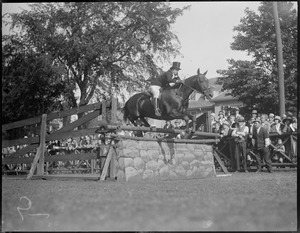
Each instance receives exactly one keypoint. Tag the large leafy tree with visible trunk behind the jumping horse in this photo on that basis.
(101, 44)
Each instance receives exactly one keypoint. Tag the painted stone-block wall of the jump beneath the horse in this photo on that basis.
(144, 160)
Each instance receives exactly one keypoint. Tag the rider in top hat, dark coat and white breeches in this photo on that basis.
(165, 80)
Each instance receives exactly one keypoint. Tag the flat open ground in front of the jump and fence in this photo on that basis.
(241, 202)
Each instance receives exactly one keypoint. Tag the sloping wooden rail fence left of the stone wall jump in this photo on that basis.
(33, 149)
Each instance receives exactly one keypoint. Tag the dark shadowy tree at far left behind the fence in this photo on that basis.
(30, 84)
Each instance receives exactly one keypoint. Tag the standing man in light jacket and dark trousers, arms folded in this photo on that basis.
(241, 132)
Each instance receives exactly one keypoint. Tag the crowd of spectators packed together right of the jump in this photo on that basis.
(236, 127)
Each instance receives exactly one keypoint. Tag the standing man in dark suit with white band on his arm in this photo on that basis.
(261, 142)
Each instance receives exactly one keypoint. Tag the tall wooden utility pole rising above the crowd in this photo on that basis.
(279, 61)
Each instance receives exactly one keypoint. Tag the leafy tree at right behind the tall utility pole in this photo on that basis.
(256, 82)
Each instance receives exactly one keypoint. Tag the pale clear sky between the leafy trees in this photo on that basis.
(205, 33)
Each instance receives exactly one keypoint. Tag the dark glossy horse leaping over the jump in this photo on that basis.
(173, 101)
